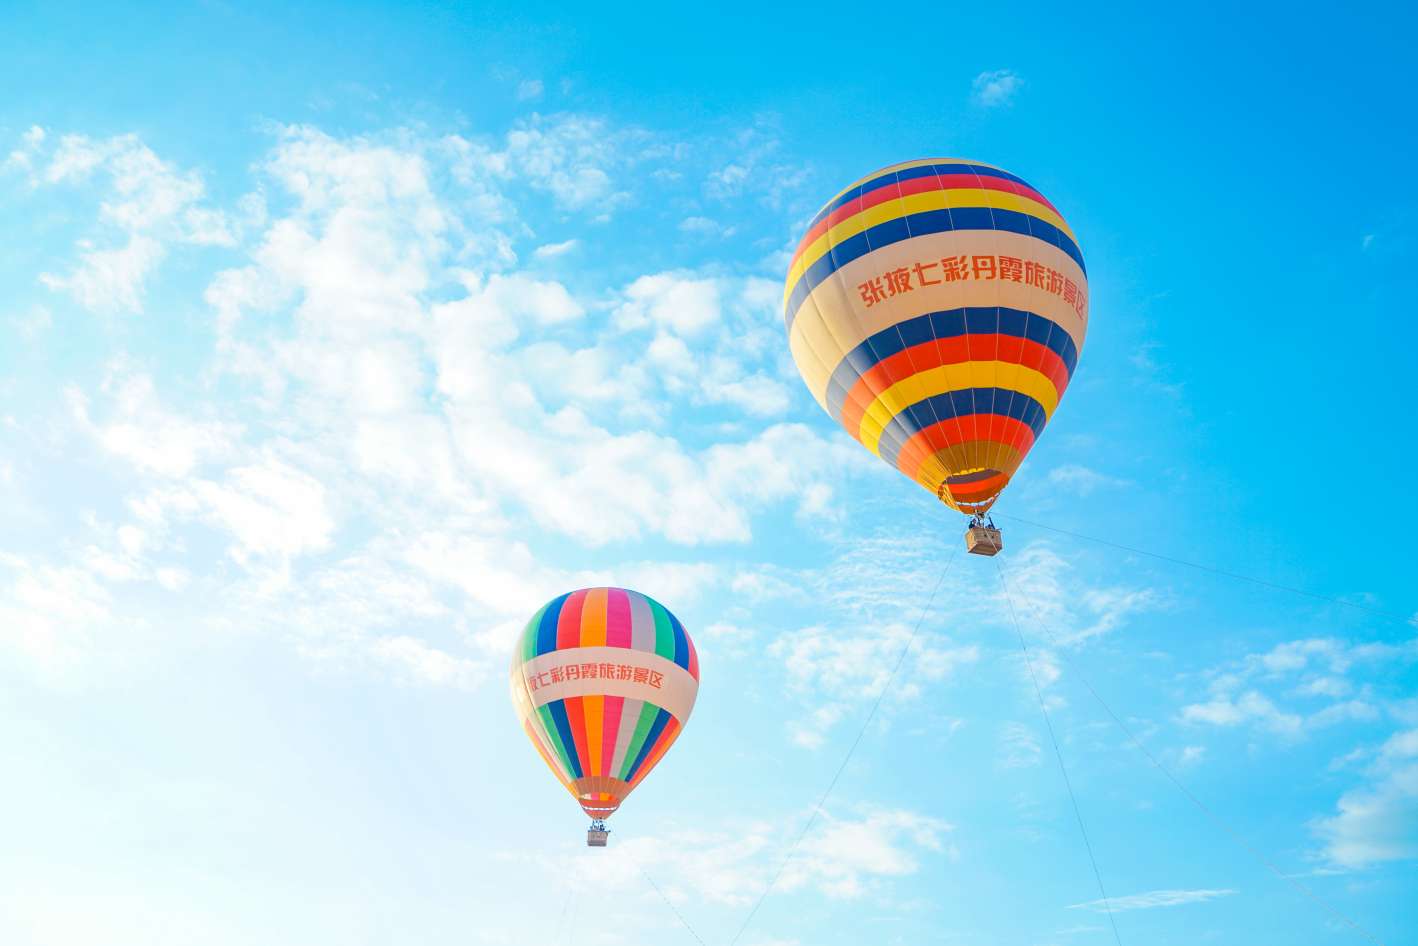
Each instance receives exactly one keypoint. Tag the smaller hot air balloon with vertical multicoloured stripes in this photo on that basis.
(603, 681)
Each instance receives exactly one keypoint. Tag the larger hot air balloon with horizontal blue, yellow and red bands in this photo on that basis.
(937, 310)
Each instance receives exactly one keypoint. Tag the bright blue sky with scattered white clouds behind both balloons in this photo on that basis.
(334, 343)
